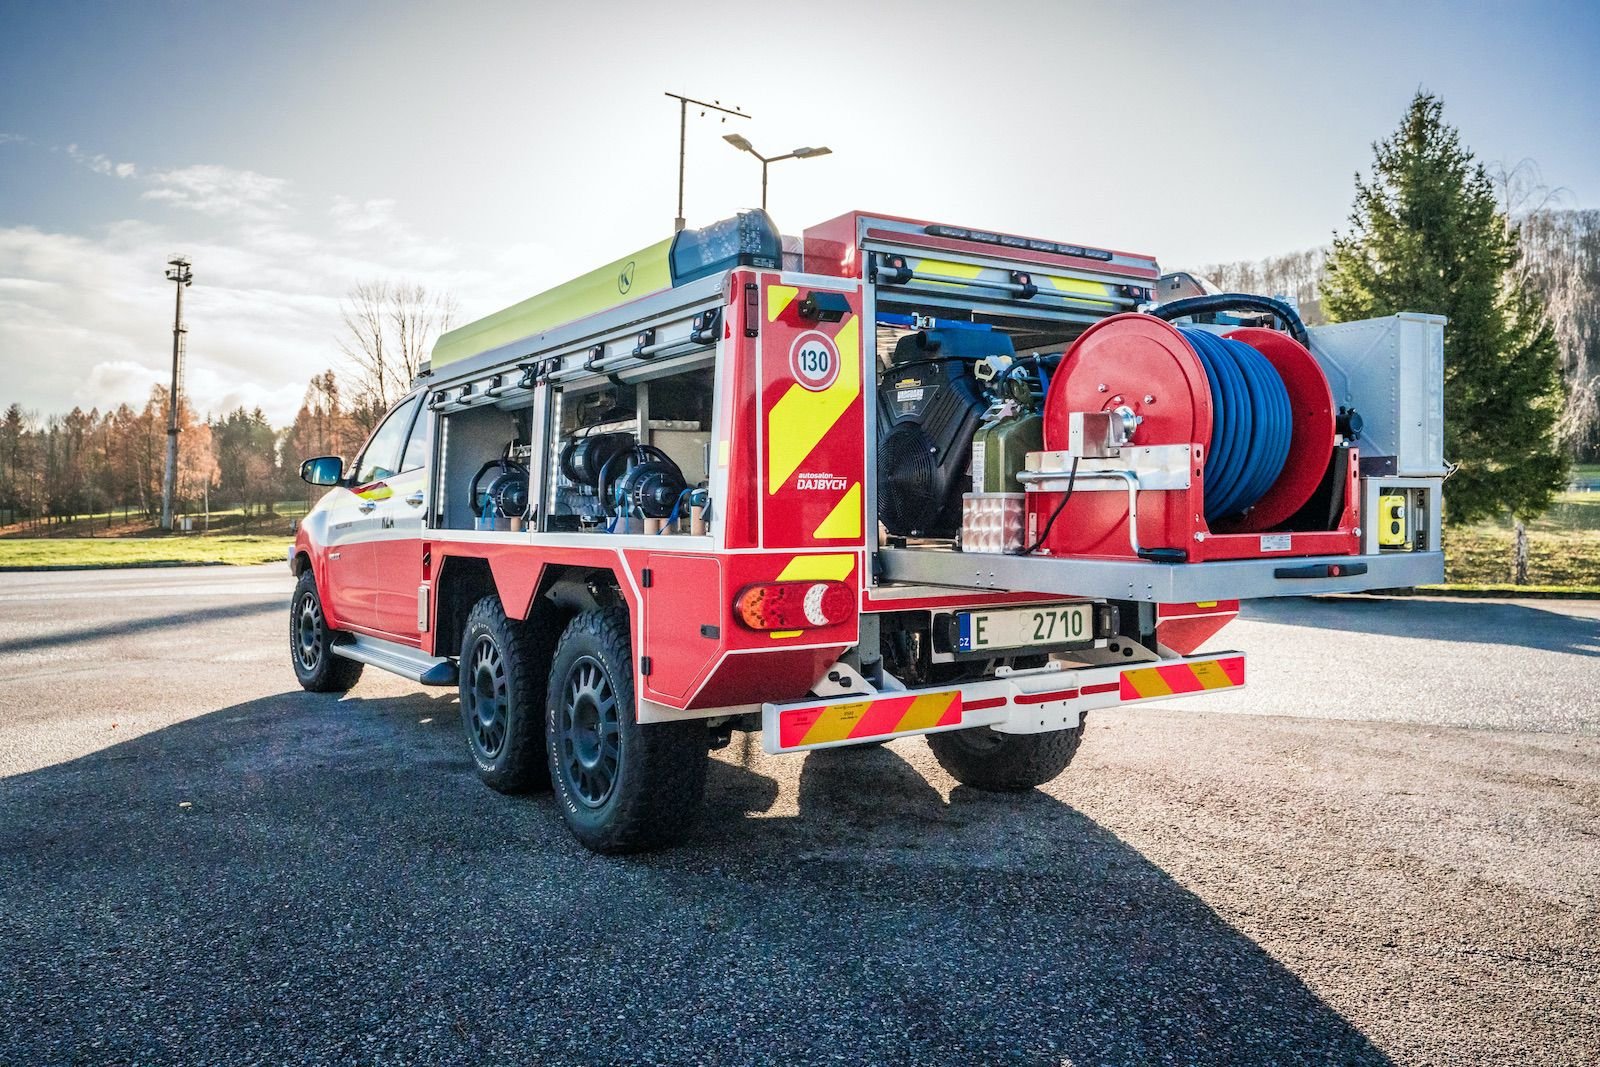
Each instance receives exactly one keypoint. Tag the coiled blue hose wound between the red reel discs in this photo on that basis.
(1252, 423)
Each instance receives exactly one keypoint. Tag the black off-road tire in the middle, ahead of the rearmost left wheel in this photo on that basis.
(502, 695)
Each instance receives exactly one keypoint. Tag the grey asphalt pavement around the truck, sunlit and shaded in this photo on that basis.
(1383, 850)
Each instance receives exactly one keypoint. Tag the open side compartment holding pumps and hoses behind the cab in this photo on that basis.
(585, 428)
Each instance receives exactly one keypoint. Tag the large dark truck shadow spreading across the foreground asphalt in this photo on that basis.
(332, 874)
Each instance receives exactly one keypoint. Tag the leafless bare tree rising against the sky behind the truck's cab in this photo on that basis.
(388, 334)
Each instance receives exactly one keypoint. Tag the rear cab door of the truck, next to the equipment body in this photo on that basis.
(396, 554)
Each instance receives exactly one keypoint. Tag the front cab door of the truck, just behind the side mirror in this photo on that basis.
(354, 532)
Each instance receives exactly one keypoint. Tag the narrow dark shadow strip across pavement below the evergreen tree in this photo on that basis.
(1471, 621)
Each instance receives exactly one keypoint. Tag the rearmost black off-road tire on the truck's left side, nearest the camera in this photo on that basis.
(642, 786)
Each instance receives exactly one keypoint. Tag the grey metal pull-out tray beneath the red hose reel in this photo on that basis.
(1162, 583)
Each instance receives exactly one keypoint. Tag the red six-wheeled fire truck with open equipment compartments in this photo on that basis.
(884, 479)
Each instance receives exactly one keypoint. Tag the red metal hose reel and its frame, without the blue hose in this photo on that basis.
(1146, 366)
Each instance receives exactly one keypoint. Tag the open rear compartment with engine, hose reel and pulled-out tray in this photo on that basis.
(1034, 433)
